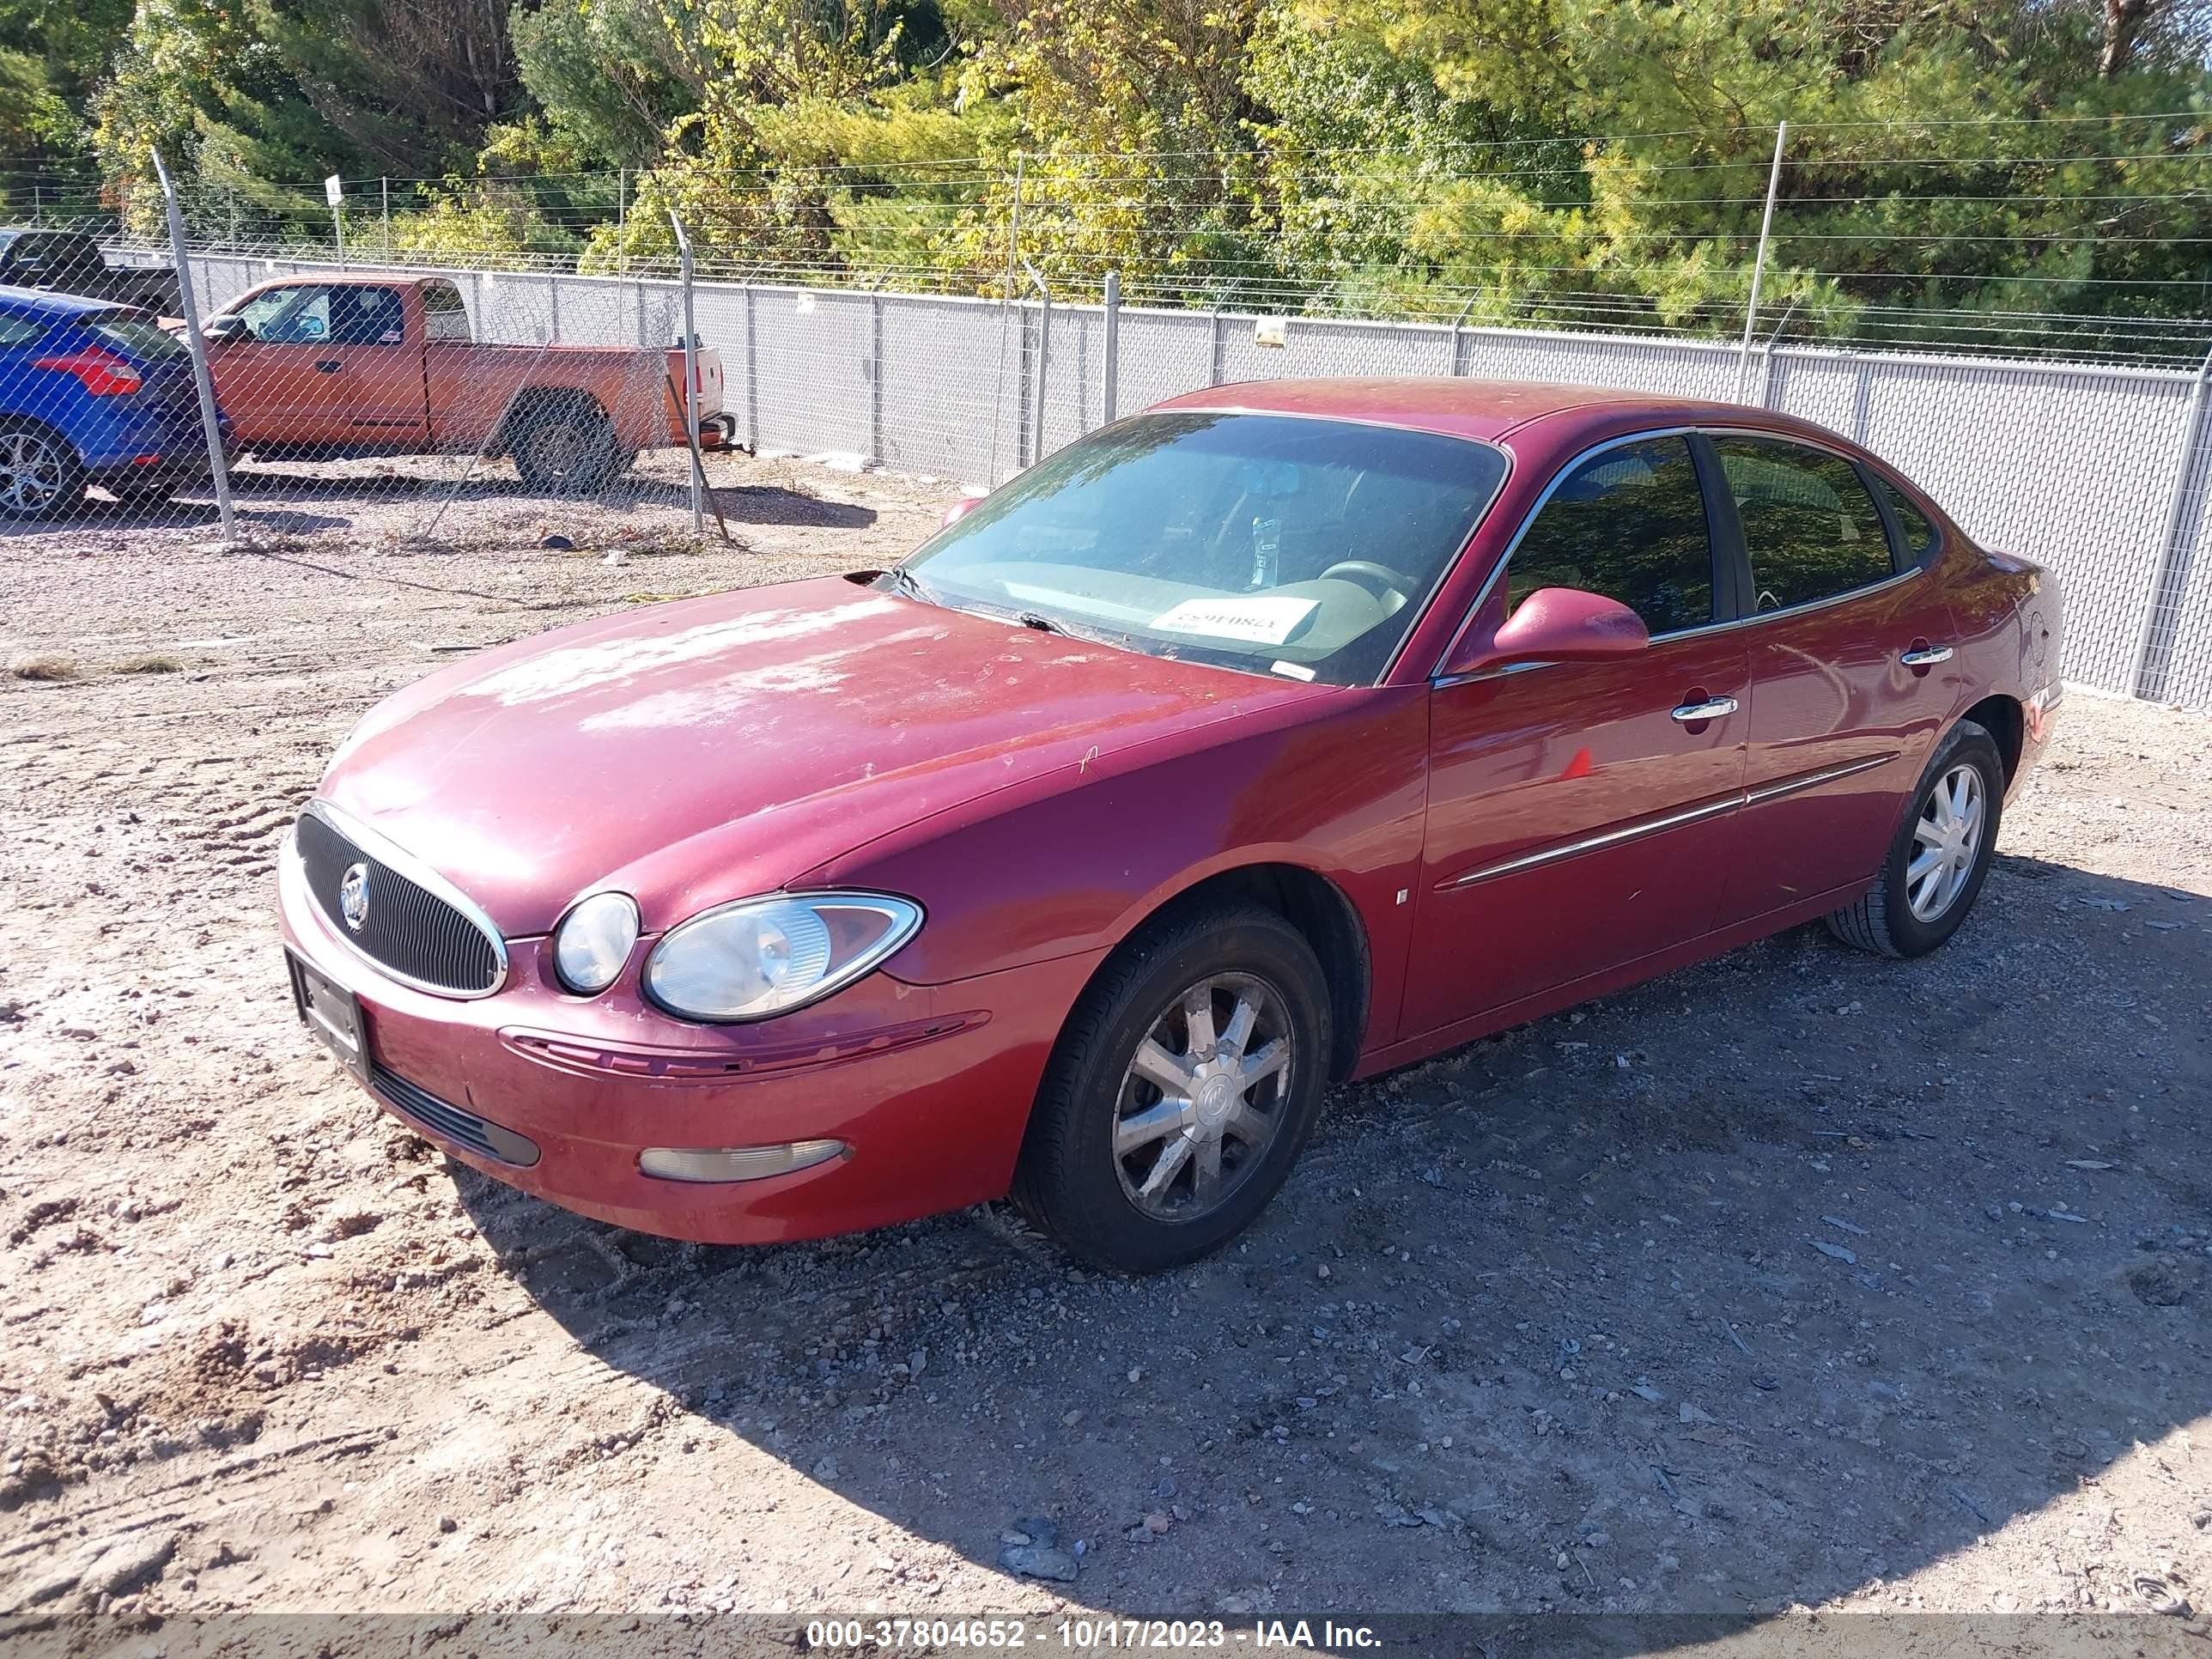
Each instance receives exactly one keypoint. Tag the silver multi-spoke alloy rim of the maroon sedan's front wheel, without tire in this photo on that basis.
(1204, 1096)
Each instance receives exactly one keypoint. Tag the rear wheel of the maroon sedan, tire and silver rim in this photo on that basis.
(1939, 857)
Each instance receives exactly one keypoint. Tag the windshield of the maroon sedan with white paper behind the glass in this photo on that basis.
(1269, 543)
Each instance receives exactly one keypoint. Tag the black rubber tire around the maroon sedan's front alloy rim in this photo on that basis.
(1067, 1178)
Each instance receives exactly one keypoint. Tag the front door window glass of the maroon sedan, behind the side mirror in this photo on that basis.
(1631, 525)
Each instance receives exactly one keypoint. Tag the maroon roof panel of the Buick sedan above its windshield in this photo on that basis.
(1457, 408)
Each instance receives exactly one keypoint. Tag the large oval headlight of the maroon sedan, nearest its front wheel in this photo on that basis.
(766, 957)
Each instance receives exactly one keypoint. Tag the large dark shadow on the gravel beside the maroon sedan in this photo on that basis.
(1760, 1284)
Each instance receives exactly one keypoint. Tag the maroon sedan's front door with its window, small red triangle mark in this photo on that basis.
(1583, 815)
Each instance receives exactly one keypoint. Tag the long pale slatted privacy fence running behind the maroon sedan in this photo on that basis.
(2103, 474)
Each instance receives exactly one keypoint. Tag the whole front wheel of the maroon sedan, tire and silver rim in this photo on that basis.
(1180, 1094)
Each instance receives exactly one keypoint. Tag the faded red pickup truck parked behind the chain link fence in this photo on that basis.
(386, 366)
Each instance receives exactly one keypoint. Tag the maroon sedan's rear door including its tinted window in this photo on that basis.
(1848, 645)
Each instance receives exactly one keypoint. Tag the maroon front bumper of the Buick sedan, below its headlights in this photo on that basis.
(928, 1087)
